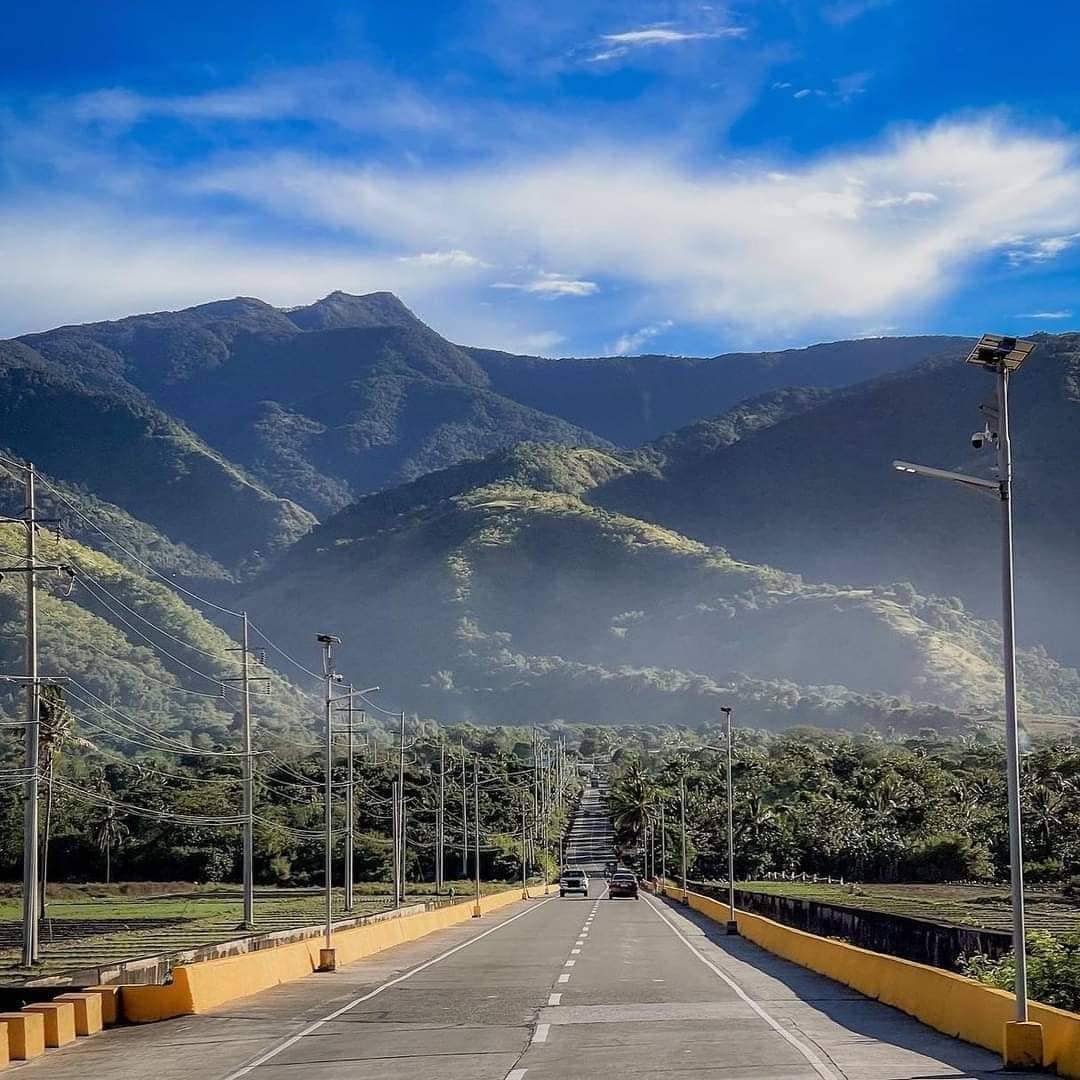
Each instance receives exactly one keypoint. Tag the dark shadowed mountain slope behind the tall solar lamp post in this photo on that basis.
(813, 491)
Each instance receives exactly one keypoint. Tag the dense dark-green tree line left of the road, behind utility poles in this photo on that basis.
(130, 818)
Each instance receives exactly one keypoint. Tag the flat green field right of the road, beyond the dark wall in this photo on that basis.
(984, 907)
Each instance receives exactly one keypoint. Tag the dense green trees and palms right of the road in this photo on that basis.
(862, 807)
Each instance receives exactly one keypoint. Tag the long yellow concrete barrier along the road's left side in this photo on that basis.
(200, 988)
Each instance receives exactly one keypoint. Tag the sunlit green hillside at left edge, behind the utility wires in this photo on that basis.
(119, 673)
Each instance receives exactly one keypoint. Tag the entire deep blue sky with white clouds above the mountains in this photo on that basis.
(558, 178)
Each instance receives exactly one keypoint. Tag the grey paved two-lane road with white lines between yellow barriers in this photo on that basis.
(558, 990)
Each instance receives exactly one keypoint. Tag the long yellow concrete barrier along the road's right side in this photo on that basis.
(956, 1006)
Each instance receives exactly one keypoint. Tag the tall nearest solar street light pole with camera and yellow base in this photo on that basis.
(1004, 356)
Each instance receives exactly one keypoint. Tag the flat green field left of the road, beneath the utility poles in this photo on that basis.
(92, 926)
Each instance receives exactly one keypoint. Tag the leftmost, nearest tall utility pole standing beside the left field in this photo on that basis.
(33, 735)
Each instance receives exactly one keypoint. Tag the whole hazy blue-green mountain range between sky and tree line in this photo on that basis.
(512, 539)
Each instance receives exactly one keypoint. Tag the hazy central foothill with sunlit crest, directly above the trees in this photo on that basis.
(508, 597)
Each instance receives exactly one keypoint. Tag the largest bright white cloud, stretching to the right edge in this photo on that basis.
(714, 245)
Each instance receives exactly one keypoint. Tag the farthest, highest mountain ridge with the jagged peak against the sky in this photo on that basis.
(354, 394)
